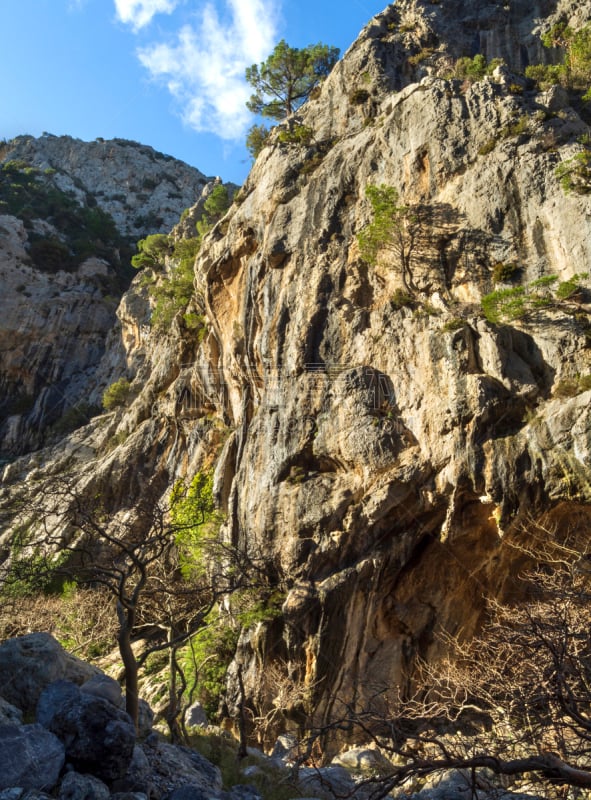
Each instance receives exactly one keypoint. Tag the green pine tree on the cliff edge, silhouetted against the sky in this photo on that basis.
(285, 80)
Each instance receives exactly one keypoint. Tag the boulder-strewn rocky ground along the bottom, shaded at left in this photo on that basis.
(64, 734)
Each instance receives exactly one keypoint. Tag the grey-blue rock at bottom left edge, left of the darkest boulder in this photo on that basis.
(30, 757)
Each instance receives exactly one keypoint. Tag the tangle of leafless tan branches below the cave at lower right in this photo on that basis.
(516, 700)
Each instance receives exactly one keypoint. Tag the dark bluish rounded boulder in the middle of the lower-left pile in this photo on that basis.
(99, 737)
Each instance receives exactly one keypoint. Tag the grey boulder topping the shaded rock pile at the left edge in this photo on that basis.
(30, 663)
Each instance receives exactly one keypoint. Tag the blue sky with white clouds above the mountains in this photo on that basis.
(167, 73)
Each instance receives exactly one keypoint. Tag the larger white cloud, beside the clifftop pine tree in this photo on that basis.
(204, 67)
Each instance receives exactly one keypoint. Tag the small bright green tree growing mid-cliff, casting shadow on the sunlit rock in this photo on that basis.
(394, 229)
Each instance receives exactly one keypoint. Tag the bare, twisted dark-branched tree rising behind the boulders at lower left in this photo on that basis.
(136, 557)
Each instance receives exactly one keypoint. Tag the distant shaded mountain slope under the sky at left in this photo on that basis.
(71, 213)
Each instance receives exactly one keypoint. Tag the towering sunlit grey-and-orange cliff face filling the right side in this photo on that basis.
(378, 446)
